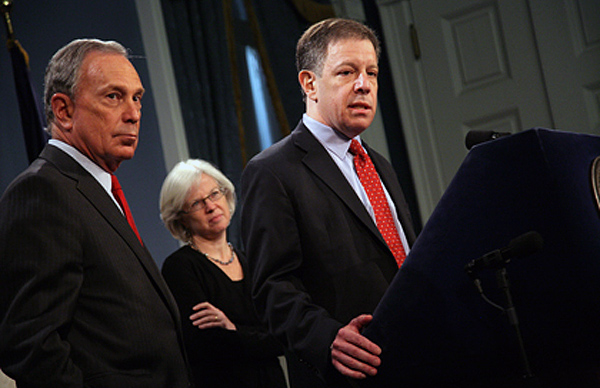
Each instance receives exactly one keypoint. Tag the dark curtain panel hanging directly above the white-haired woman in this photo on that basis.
(197, 35)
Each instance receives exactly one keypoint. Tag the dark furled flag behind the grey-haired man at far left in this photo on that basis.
(29, 107)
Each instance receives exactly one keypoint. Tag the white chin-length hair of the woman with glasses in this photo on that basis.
(176, 187)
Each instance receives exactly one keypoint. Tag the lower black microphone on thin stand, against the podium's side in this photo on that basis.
(524, 245)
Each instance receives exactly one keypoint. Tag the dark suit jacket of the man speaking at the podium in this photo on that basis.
(316, 256)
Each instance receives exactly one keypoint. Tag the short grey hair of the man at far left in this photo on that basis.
(63, 71)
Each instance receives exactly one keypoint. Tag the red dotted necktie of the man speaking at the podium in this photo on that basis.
(383, 215)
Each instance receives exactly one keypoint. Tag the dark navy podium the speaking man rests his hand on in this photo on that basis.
(432, 324)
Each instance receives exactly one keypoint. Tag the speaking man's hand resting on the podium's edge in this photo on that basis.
(352, 354)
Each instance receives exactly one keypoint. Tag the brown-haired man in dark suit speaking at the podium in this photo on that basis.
(320, 264)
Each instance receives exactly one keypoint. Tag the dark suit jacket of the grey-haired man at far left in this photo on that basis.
(82, 302)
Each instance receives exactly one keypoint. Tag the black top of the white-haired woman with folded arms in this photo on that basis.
(246, 357)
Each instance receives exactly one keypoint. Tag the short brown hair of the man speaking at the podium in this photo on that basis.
(312, 46)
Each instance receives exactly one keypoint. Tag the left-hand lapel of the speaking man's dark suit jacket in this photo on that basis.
(320, 163)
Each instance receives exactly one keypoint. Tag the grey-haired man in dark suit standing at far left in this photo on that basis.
(82, 303)
